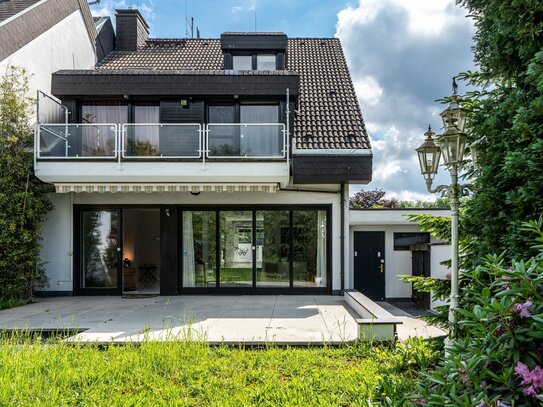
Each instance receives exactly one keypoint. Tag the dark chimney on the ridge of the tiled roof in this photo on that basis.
(132, 31)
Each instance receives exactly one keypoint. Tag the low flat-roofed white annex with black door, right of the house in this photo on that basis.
(384, 244)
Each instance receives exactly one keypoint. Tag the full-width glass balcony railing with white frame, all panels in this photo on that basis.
(162, 141)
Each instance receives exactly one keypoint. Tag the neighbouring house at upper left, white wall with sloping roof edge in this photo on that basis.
(44, 36)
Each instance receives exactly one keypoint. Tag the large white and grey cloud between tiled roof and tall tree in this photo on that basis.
(402, 56)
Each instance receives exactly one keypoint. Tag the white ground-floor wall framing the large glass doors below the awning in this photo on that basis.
(57, 244)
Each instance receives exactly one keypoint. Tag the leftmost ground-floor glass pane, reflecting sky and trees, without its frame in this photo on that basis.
(99, 243)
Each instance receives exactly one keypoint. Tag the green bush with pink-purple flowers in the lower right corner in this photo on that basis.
(496, 358)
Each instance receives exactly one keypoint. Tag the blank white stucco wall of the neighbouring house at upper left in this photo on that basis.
(66, 45)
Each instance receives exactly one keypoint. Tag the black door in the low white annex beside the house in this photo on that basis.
(369, 264)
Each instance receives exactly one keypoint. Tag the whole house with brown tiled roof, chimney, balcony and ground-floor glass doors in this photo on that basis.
(203, 166)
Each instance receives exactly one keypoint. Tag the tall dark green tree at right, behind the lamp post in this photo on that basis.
(506, 121)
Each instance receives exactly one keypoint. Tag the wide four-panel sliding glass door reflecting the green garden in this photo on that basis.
(254, 249)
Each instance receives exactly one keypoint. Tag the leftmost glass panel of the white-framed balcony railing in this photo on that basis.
(69, 141)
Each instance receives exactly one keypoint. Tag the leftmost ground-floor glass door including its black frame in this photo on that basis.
(98, 261)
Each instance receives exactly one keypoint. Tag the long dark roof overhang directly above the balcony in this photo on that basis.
(172, 83)
